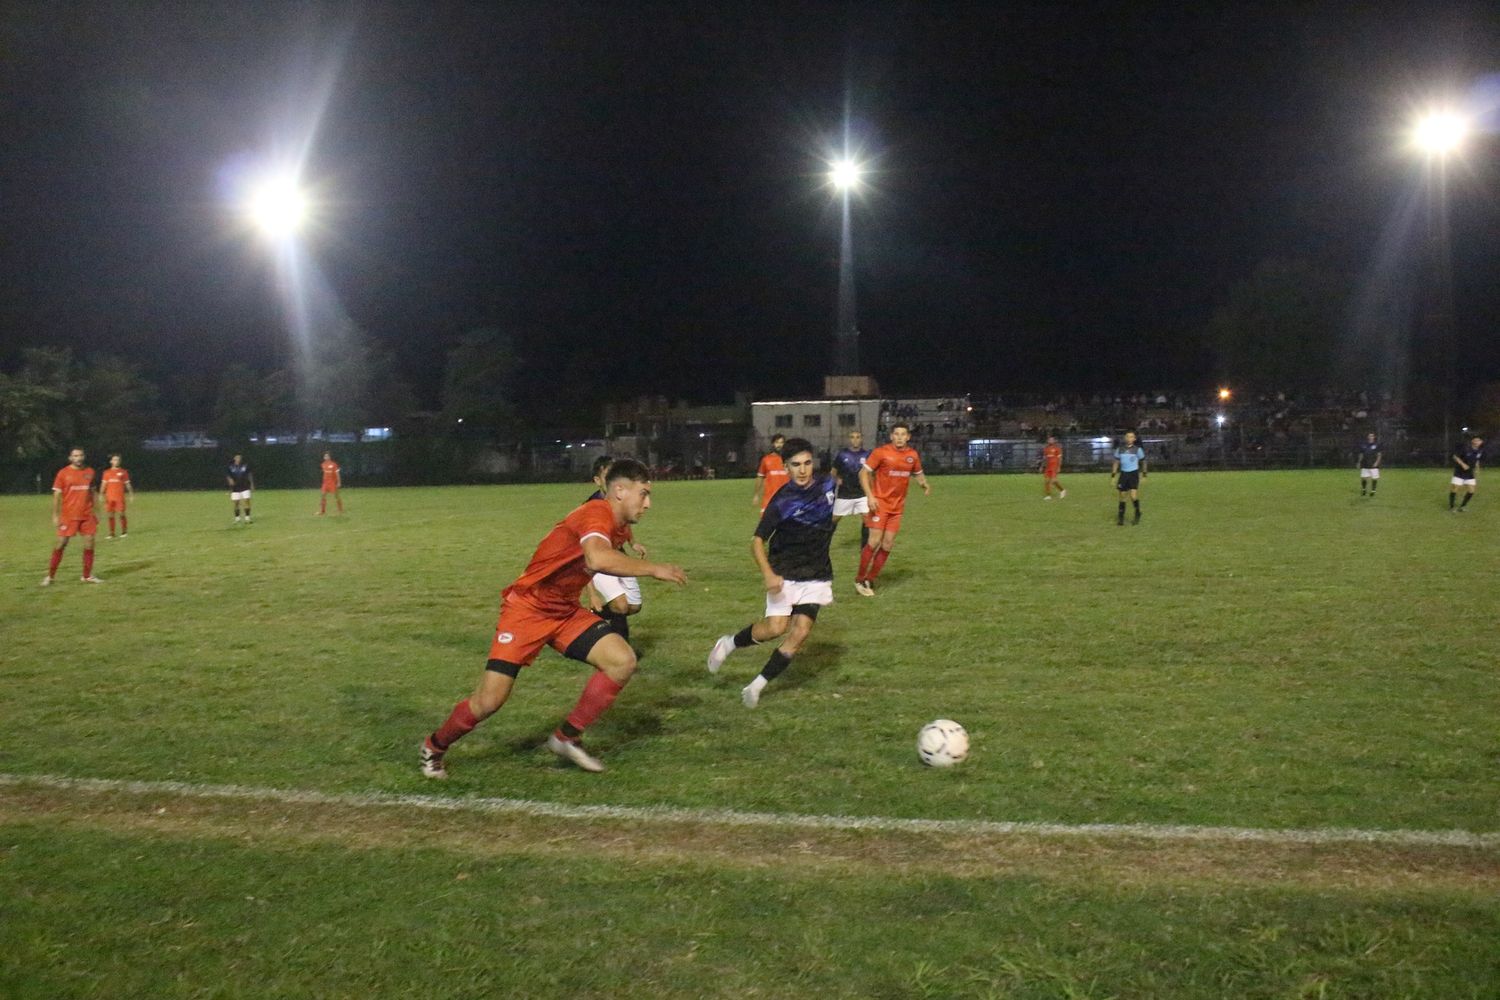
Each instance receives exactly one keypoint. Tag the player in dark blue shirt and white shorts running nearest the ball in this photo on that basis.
(791, 549)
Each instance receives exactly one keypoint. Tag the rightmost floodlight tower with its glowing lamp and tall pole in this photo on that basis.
(1439, 137)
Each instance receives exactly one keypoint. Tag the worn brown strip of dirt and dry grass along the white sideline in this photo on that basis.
(671, 843)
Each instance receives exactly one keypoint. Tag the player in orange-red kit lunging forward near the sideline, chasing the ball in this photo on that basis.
(542, 609)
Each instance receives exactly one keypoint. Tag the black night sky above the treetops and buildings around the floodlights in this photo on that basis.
(1061, 196)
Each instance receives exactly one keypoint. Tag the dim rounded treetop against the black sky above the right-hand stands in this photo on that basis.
(1280, 328)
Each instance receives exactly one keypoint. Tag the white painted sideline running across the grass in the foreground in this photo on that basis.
(731, 818)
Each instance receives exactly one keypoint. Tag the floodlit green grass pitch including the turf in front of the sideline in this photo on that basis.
(1265, 651)
